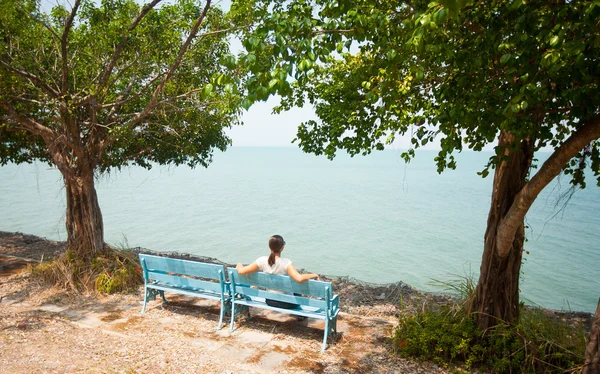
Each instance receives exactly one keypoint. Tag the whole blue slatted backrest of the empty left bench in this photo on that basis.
(177, 272)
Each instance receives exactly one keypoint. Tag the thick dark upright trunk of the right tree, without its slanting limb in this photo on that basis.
(497, 292)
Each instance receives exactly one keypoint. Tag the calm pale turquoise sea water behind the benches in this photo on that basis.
(374, 218)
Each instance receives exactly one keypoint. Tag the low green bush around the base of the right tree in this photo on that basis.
(537, 343)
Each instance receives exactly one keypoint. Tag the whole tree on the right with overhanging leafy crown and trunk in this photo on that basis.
(521, 75)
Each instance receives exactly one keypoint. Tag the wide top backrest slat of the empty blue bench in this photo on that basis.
(172, 265)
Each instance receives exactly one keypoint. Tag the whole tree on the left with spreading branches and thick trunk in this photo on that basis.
(101, 86)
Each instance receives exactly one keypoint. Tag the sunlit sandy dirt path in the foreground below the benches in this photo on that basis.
(42, 330)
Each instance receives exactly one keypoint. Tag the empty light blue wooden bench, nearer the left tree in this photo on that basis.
(184, 277)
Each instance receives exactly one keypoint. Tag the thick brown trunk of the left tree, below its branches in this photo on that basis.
(85, 229)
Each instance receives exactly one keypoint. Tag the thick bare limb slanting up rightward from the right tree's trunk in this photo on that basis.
(587, 133)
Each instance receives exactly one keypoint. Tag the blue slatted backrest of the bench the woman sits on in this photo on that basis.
(314, 293)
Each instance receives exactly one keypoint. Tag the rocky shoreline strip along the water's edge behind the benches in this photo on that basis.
(360, 298)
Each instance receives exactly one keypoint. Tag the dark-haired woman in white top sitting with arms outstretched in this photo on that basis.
(275, 264)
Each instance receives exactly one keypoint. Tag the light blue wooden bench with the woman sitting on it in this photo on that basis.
(316, 298)
